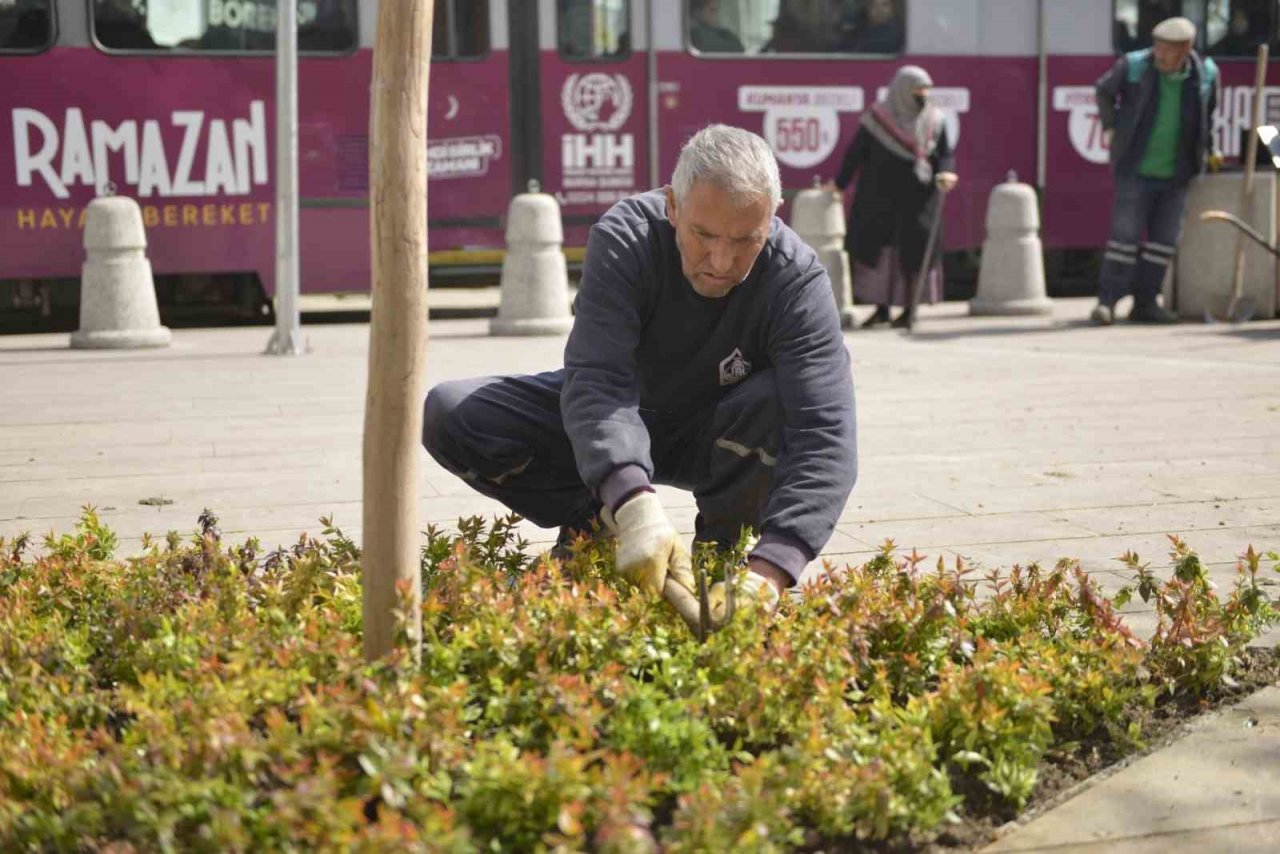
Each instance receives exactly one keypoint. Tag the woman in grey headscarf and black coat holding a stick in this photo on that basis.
(903, 161)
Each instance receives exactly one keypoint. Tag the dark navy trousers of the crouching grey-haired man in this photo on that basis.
(505, 437)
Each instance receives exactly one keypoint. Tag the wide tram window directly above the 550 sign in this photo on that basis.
(797, 26)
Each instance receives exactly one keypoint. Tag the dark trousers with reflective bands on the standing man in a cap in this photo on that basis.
(1151, 207)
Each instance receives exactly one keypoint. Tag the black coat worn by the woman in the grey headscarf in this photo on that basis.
(892, 207)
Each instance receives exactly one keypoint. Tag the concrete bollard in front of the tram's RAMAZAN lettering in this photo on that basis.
(118, 298)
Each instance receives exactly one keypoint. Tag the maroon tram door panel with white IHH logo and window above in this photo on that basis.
(580, 104)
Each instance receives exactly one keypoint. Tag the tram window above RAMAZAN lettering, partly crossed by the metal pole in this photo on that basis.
(239, 26)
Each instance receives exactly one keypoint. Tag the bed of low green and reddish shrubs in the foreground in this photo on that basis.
(209, 697)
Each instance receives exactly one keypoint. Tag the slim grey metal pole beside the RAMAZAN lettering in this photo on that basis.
(287, 339)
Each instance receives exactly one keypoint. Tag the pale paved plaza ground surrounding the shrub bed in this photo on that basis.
(999, 441)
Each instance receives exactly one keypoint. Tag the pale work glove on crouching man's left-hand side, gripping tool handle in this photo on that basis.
(650, 549)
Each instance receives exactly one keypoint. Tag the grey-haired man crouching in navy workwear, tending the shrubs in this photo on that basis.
(706, 354)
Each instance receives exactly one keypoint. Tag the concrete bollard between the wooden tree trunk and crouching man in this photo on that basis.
(534, 298)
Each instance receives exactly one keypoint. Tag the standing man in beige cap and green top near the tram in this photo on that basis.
(1158, 111)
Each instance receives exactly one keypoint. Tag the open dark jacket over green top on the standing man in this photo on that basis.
(1128, 97)
